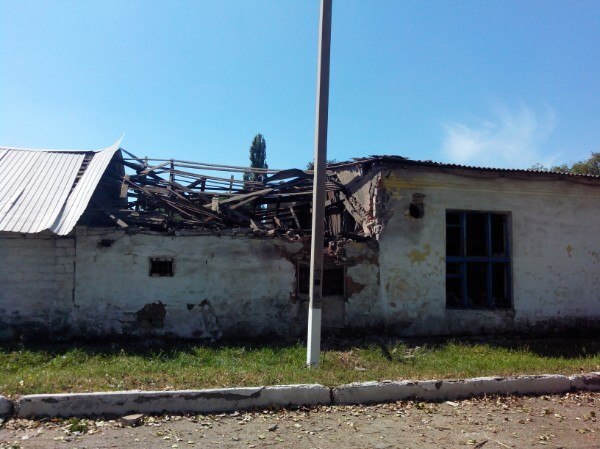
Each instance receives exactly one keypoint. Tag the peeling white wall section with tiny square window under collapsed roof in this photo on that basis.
(224, 286)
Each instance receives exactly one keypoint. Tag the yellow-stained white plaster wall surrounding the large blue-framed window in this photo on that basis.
(555, 253)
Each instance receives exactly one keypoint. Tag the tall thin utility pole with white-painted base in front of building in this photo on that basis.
(313, 351)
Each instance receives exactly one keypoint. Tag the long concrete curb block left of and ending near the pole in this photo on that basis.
(184, 401)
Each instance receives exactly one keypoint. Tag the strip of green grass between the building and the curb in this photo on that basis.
(79, 368)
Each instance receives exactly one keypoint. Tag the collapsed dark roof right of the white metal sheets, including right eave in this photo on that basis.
(167, 194)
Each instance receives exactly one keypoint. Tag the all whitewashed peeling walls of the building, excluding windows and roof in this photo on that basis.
(238, 286)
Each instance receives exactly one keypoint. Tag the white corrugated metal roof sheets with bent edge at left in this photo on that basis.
(40, 189)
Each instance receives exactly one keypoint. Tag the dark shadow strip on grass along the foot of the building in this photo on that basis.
(550, 347)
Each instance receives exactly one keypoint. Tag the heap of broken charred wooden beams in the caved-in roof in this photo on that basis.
(170, 193)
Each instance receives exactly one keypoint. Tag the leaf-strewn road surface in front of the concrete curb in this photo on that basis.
(563, 421)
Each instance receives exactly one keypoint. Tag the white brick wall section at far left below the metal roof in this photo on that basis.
(36, 275)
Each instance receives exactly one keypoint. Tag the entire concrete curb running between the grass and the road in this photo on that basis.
(119, 403)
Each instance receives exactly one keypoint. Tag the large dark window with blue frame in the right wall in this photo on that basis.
(478, 272)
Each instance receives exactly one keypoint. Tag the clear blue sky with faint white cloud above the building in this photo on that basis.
(496, 83)
